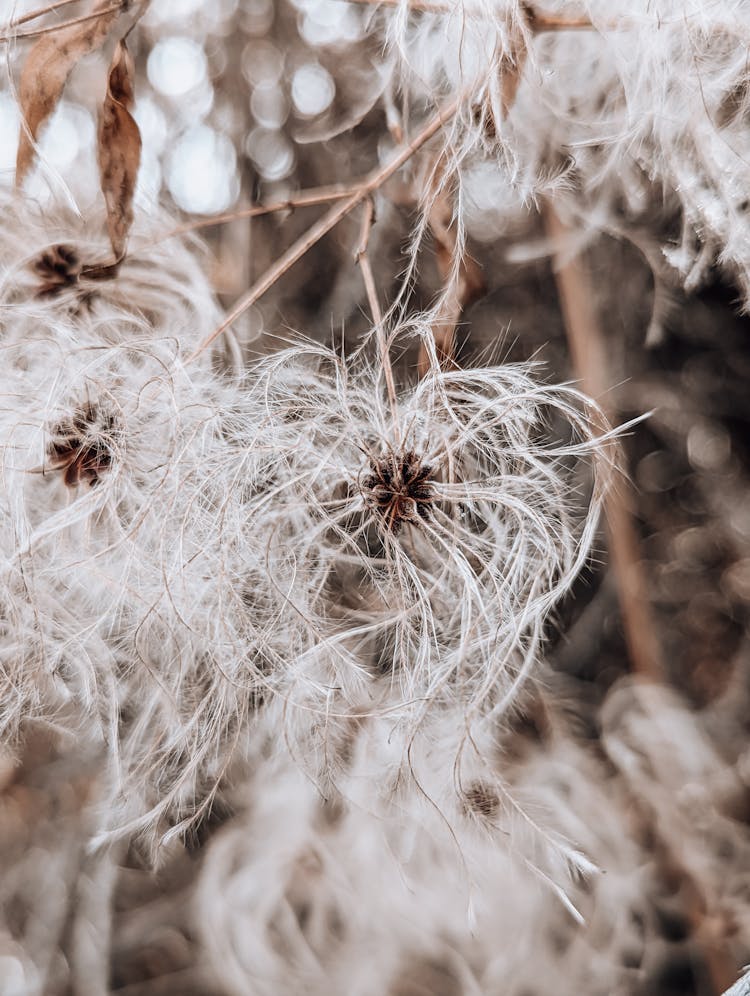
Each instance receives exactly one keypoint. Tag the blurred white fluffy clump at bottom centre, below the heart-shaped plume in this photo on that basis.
(356, 889)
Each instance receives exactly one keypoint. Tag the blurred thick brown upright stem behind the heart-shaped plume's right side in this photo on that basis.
(588, 352)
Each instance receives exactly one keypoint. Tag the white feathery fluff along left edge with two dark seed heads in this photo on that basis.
(116, 624)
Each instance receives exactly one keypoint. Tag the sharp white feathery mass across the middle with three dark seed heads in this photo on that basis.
(178, 546)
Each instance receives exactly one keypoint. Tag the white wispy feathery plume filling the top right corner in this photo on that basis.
(574, 111)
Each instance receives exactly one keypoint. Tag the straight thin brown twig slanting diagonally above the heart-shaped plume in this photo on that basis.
(329, 220)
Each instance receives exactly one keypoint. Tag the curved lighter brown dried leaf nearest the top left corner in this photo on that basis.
(46, 71)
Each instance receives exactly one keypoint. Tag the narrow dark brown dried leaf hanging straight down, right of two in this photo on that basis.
(119, 149)
